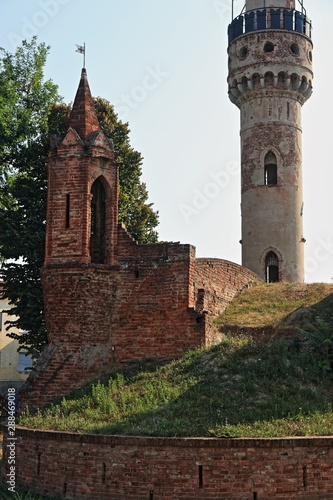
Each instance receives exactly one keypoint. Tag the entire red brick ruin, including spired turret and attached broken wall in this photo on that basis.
(107, 299)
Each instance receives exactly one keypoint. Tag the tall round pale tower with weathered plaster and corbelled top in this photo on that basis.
(270, 78)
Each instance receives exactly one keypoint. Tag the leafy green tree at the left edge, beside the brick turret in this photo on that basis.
(25, 102)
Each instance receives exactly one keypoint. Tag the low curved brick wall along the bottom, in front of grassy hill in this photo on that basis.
(131, 468)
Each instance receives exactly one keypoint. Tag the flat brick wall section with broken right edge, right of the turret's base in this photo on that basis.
(154, 317)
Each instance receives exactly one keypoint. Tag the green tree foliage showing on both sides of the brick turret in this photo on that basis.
(31, 110)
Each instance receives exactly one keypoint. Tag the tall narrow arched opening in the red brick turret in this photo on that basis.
(98, 223)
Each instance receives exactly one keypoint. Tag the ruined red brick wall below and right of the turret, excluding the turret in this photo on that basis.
(158, 302)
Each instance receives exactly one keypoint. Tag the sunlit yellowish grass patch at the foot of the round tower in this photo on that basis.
(271, 305)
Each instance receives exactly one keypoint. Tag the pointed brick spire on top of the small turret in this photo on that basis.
(83, 117)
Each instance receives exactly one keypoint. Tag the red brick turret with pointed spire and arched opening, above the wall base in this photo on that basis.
(83, 189)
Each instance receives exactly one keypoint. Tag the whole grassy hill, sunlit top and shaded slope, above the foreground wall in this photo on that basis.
(249, 385)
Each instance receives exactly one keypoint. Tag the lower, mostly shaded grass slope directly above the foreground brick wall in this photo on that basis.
(238, 388)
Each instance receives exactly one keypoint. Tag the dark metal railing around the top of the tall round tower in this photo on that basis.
(269, 19)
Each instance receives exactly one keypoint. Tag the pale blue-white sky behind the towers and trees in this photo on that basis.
(163, 65)
